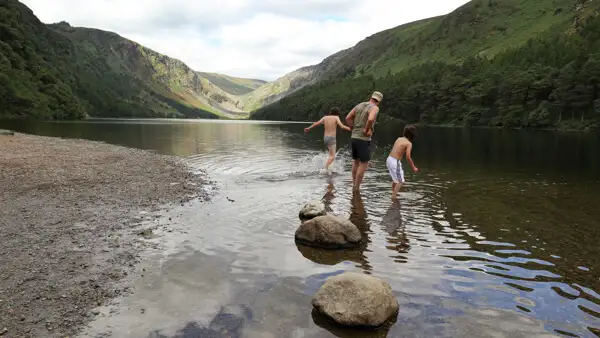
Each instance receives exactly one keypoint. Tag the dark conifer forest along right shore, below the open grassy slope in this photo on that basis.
(548, 82)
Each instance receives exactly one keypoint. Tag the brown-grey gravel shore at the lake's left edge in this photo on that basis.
(67, 211)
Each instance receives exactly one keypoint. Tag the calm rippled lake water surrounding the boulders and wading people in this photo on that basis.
(498, 235)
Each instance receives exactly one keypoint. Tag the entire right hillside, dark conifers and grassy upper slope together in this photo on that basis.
(472, 67)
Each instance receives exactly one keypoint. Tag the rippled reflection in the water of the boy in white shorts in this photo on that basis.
(397, 239)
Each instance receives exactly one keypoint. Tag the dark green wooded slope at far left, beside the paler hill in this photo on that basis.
(46, 75)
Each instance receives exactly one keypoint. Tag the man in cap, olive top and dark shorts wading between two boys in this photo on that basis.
(361, 119)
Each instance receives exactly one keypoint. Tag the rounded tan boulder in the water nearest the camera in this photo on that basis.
(356, 300)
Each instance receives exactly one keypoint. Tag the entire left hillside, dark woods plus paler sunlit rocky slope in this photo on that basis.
(62, 72)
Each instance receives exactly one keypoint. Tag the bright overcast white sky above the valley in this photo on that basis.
(249, 38)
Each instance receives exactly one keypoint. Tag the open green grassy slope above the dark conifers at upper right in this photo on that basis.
(473, 29)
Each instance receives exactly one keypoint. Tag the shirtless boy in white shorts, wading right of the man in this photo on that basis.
(403, 145)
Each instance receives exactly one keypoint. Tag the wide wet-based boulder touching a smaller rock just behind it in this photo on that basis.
(329, 232)
